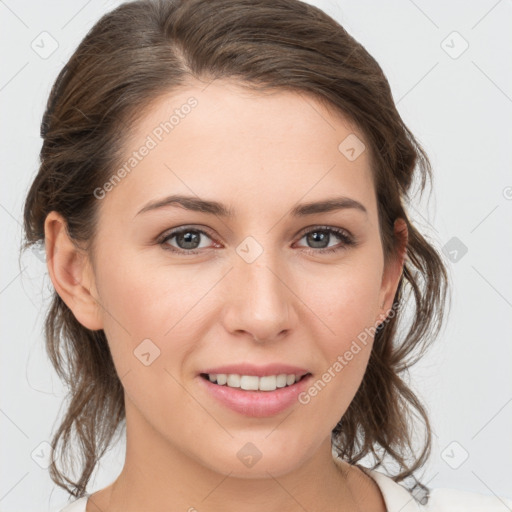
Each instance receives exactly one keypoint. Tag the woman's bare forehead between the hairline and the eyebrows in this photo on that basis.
(224, 140)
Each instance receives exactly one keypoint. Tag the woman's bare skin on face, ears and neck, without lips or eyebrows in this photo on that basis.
(259, 155)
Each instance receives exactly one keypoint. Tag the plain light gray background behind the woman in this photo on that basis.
(459, 107)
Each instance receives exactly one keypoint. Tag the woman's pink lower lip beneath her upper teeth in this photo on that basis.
(257, 404)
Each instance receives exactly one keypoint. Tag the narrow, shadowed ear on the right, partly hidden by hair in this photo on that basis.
(393, 271)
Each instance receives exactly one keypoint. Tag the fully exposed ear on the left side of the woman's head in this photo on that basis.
(71, 272)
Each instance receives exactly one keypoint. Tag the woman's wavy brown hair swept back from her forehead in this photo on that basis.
(145, 48)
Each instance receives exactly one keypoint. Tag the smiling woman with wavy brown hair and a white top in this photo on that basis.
(222, 197)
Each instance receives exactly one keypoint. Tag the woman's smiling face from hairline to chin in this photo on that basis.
(271, 289)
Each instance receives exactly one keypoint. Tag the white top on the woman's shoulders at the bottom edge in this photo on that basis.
(398, 499)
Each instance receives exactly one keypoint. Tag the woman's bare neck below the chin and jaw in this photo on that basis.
(157, 475)
